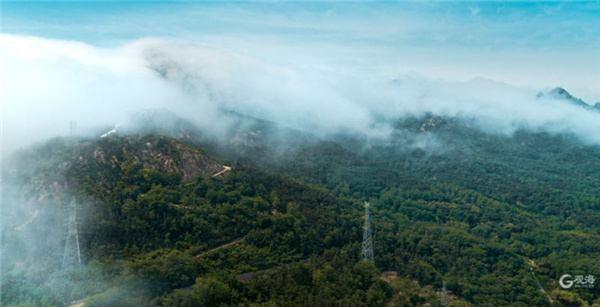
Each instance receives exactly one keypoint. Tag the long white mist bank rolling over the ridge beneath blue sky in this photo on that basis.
(46, 83)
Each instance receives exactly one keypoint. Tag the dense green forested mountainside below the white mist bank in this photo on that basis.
(497, 219)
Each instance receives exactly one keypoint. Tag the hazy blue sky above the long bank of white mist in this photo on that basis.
(521, 36)
